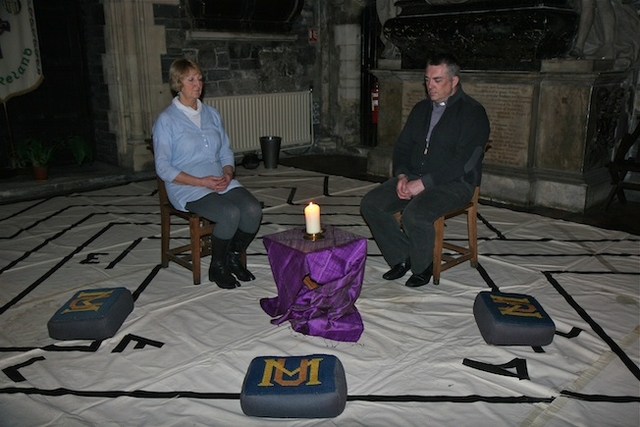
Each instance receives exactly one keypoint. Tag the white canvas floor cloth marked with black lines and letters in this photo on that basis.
(181, 355)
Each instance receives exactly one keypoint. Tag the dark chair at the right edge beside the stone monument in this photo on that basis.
(621, 166)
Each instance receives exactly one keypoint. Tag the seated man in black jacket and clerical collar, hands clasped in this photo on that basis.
(437, 165)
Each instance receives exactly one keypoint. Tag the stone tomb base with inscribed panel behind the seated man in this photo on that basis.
(552, 131)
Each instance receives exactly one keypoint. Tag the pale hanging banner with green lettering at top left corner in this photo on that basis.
(20, 64)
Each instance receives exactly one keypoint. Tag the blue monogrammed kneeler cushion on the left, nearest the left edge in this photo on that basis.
(91, 314)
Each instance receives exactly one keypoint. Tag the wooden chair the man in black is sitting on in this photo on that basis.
(443, 261)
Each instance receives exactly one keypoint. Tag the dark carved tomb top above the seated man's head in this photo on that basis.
(512, 35)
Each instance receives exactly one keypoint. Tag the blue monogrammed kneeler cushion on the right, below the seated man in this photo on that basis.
(512, 319)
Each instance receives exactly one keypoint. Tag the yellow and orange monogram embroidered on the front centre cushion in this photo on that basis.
(275, 372)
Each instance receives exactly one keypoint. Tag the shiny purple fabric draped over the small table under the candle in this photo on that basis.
(336, 263)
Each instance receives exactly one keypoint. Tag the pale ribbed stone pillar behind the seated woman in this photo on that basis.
(133, 73)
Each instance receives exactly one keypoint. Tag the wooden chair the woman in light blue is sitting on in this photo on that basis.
(200, 229)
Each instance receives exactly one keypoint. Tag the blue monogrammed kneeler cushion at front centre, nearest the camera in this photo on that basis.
(312, 386)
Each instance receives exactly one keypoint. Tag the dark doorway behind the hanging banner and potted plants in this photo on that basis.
(60, 106)
